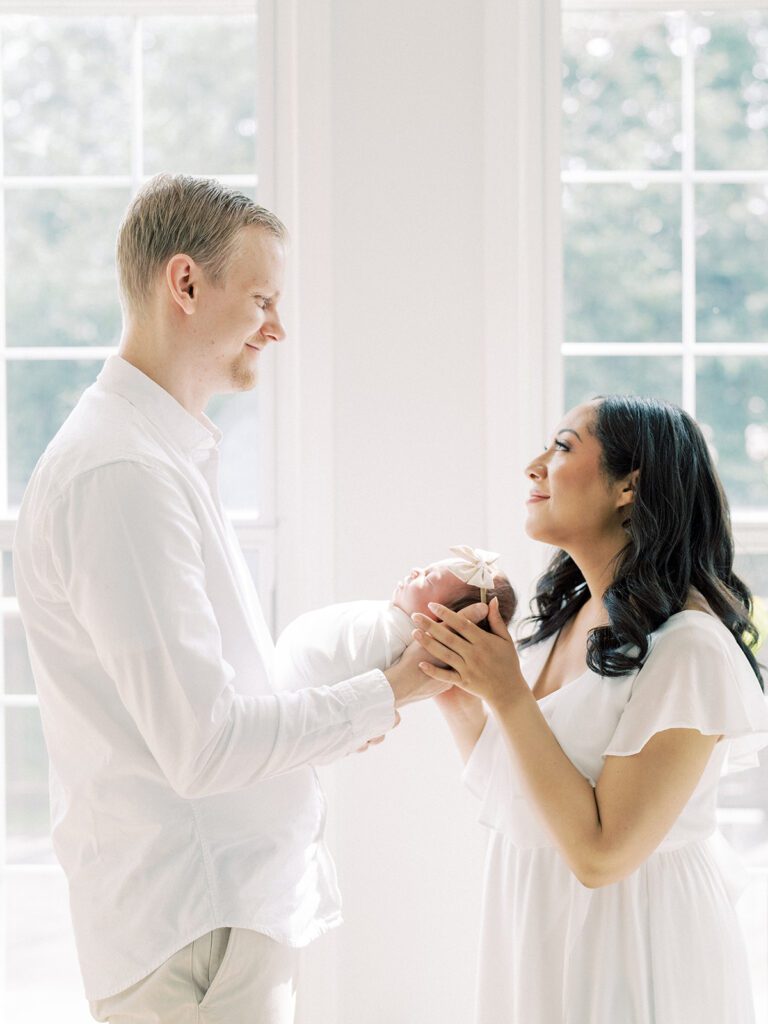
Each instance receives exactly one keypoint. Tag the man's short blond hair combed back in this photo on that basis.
(176, 214)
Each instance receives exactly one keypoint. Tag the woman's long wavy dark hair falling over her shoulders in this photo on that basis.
(678, 537)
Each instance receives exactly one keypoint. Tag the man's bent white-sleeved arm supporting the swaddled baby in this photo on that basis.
(130, 553)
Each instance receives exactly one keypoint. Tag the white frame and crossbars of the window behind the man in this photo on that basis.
(257, 532)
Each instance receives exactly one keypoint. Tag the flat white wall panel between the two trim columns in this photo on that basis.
(410, 474)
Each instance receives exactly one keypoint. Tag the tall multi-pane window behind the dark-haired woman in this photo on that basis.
(665, 198)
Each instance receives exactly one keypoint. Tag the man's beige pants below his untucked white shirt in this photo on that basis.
(229, 976)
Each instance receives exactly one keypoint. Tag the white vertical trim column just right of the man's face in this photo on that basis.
(305, 363)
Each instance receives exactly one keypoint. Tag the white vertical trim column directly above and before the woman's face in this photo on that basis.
(524, 263)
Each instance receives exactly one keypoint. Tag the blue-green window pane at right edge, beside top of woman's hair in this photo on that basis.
(733, 410)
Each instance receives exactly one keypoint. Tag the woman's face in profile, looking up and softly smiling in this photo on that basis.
(572, 503)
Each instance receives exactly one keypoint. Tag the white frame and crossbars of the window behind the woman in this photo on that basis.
(524, 252)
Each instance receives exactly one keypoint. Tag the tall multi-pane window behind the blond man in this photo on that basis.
(91, 109)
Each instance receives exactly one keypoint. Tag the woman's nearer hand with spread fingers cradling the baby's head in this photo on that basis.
(483, 664)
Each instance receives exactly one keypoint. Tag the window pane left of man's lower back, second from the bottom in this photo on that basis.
(27, 789)
